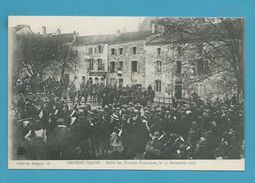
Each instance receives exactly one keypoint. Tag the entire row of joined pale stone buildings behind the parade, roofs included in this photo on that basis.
(172, 64)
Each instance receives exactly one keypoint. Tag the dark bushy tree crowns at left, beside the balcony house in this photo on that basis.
(38, 53)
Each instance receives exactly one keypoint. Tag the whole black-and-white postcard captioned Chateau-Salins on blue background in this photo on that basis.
(142, 93)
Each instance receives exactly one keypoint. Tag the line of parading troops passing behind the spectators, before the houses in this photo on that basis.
(96, 93)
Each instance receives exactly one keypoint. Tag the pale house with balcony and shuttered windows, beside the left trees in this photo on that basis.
(93, 58)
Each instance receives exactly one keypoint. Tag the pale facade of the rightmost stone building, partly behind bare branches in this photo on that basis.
(175, 68)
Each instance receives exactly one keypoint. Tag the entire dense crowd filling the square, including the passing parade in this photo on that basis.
(127, 125)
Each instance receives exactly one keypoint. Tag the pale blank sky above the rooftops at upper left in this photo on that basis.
(82, 25)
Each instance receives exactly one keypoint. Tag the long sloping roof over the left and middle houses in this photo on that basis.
(112, 38)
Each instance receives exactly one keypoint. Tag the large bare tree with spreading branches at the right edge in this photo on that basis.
(218, 40)
